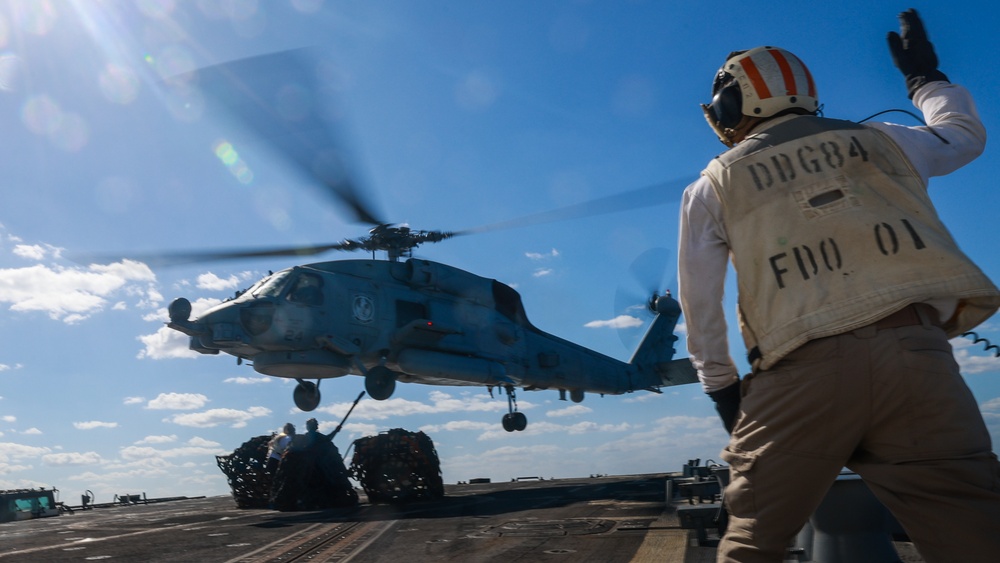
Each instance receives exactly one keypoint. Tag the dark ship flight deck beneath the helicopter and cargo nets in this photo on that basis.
(604, 519)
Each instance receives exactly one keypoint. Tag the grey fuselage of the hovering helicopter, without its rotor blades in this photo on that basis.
(415, 321)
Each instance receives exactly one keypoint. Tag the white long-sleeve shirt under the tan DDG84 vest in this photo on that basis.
(704, 244)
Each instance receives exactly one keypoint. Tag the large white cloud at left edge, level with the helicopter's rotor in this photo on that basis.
(71, 294)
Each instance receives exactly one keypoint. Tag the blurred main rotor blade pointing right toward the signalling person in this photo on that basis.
(649, 196)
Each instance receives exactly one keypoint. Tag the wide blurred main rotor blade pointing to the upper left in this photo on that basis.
(283, 100)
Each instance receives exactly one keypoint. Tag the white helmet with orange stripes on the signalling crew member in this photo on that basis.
(758, 84)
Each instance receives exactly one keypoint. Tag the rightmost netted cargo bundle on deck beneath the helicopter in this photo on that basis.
(397, 466)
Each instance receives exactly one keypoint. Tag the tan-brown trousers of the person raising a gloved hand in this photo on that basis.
(889, 404)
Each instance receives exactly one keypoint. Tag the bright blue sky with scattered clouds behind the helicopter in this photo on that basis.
(460, 114)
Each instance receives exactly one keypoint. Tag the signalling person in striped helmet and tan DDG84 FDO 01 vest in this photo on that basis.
(849, 289)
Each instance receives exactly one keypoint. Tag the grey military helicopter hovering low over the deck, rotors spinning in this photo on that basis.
(394, 320)
